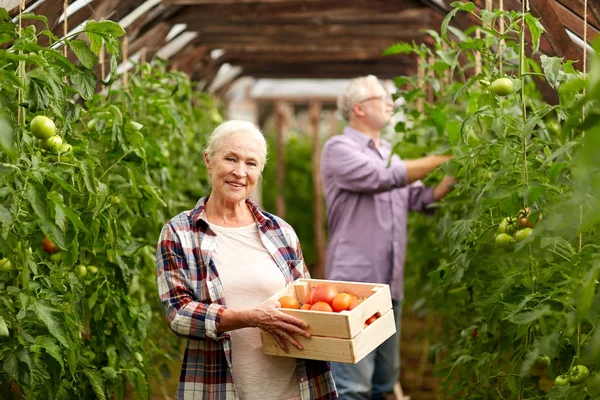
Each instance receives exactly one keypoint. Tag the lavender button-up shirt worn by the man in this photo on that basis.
(367, 207)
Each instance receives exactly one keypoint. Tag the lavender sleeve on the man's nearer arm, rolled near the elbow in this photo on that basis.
(354, 171)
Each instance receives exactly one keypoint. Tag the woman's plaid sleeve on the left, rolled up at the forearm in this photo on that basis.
(186, 316)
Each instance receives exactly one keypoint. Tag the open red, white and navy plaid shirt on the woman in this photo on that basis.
(192, 294)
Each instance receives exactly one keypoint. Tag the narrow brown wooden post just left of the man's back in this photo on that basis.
(314, 115)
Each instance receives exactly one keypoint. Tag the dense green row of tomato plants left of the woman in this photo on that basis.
(79, 317)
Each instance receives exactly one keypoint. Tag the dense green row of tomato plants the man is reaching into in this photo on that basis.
(471, 268)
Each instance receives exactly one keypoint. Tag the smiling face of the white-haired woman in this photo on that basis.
(235, 167)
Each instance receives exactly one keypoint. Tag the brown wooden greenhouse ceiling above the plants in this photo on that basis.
(297, 39)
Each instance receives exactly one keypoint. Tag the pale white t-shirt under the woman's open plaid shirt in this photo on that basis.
(250, 276)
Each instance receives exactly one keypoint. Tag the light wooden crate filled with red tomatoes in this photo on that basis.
(338, 337)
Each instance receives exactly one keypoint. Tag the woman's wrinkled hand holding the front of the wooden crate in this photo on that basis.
(281, 326)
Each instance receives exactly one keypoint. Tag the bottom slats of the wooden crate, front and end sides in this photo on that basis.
(335, 349)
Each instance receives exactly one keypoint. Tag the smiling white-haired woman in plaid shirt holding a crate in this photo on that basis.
(216, 266)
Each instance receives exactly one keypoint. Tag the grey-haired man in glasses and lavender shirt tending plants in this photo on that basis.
(368, 200)
